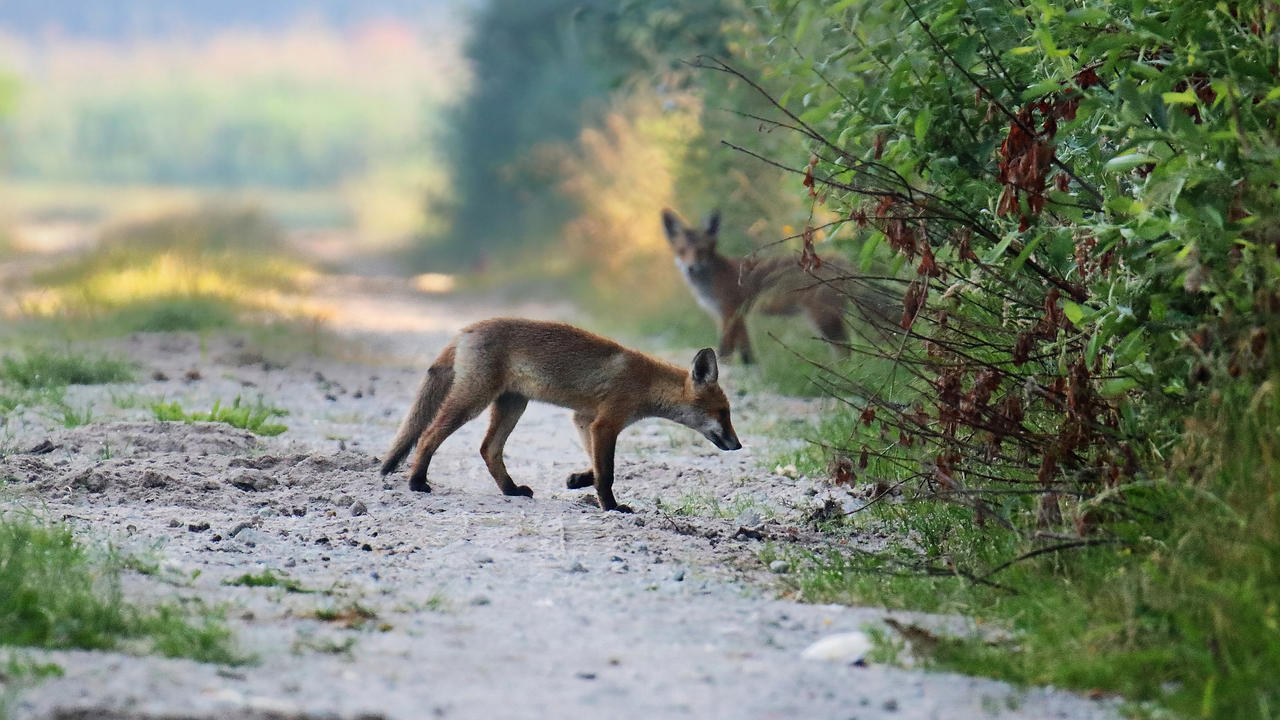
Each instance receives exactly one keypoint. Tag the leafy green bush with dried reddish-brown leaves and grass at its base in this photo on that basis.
(1077, 206)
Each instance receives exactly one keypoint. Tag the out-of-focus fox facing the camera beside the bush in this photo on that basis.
(729, 288)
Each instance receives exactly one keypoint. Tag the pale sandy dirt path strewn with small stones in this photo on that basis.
(483, 607)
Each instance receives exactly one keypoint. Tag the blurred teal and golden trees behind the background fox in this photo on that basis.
(584, 121)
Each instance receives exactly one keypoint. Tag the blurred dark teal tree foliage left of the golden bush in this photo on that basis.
(547, 71)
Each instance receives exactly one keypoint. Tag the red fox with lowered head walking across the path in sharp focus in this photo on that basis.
(506, 362)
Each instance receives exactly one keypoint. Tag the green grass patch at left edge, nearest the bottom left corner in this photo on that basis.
(61, 594)
